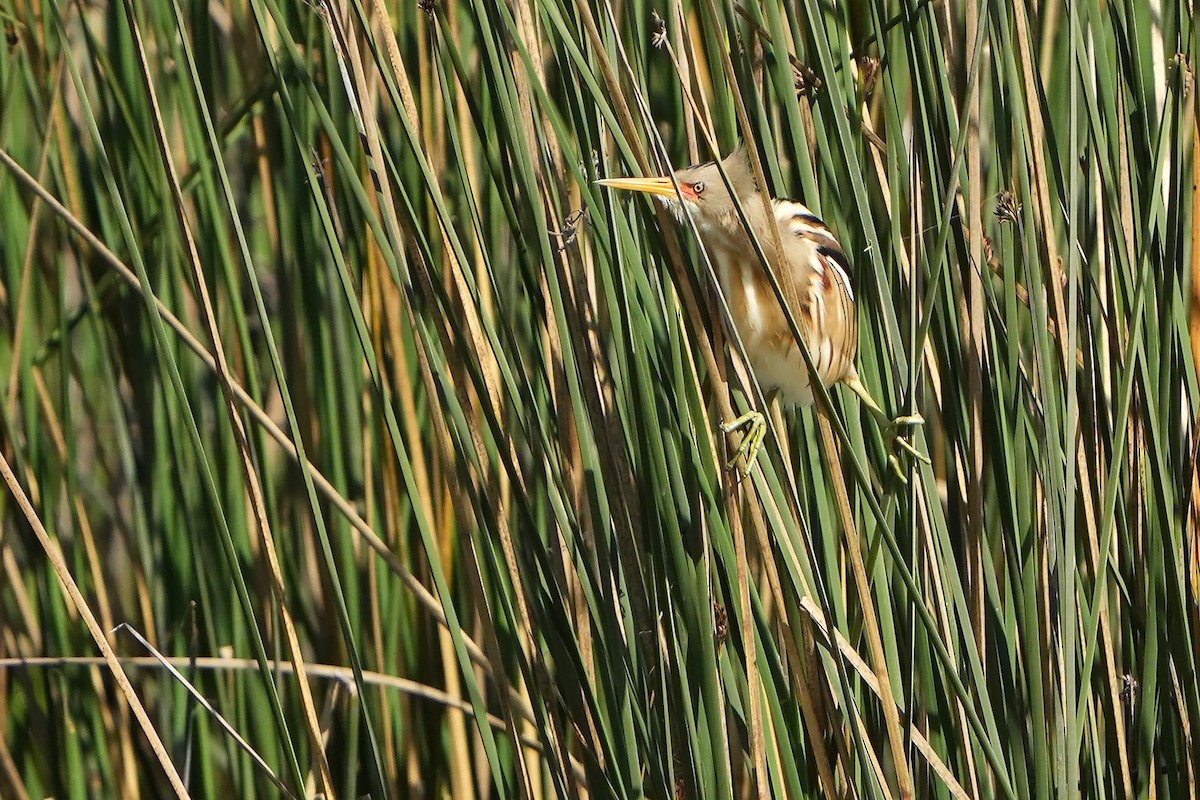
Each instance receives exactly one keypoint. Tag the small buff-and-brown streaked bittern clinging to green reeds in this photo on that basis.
(814, 278)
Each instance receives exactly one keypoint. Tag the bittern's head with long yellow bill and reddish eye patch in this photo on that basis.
(703, 193)
